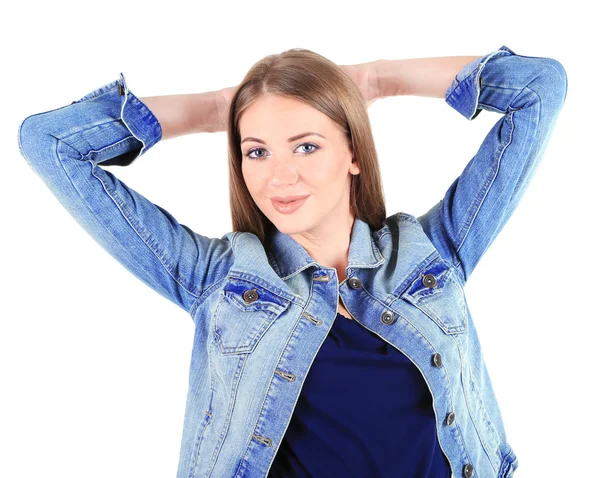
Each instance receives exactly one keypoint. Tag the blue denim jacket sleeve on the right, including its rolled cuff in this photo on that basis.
(529, 92)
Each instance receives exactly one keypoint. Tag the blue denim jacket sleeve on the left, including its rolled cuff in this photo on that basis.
(111, 126)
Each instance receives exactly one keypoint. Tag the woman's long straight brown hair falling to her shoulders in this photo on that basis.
(313, 79)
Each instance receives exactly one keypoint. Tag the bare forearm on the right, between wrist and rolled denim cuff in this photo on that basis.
(429, 77)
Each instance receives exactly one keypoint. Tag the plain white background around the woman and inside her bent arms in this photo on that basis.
(94, 363)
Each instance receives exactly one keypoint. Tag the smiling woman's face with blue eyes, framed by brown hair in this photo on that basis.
(276, 162)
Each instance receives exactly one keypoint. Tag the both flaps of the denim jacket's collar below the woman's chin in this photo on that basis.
(287, 257)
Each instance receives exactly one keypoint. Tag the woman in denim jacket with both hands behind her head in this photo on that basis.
(372, 305)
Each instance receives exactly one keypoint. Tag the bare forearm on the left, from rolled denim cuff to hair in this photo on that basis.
(191, 113)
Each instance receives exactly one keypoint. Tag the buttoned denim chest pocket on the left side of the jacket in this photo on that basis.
(243, 314)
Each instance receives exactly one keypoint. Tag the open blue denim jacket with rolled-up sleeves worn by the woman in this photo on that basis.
(261, 313)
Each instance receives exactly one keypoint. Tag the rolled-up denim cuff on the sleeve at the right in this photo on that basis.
(463, 94)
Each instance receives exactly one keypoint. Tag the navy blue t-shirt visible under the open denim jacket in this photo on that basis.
(363, 411)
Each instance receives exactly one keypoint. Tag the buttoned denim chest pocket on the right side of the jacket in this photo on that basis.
(439, 295)
